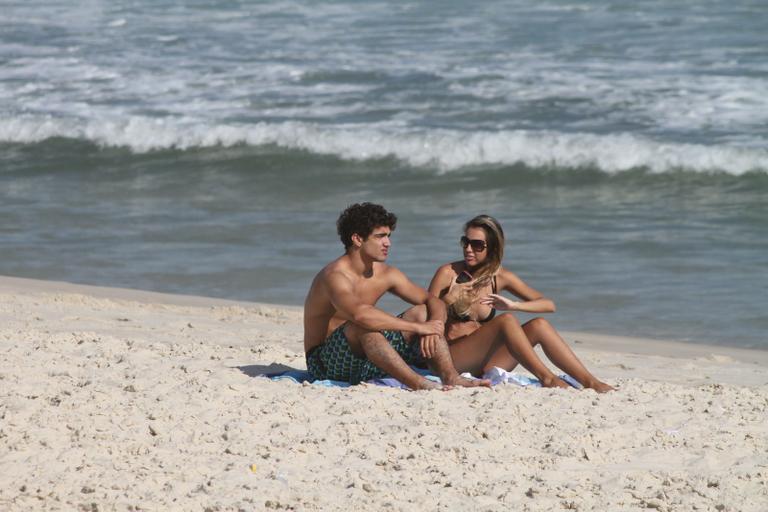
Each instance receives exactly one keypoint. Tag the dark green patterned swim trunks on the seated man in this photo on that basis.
(334, 359)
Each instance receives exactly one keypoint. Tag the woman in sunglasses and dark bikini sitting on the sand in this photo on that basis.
(479, 339)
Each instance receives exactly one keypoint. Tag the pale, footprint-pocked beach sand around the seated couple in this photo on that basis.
(115, 399)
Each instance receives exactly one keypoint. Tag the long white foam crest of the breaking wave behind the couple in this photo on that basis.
(444, 149)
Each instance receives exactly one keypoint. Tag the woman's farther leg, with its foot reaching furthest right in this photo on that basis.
(541, 332)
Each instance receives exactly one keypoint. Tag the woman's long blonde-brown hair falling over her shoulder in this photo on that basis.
(485, 272)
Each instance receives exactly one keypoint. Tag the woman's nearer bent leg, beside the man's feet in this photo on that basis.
(502, 335)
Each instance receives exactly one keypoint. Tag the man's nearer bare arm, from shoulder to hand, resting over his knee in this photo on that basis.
(368, 317)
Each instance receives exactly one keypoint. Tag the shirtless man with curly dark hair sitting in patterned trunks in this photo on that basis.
(347, 338)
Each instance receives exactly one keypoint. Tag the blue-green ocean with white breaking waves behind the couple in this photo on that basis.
(207, 148)
